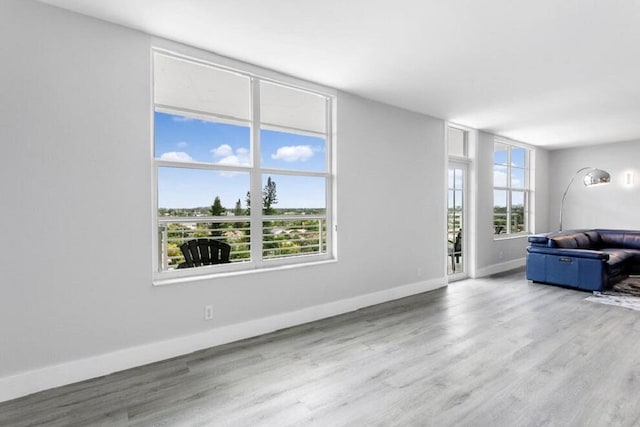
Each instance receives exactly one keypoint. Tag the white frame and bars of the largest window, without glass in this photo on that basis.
(256, 172)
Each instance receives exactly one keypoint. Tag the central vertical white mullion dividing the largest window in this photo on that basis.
(256, 175)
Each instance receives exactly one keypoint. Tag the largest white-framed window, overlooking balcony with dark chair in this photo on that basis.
(242, 159)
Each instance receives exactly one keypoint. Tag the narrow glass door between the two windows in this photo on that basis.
(456, 217)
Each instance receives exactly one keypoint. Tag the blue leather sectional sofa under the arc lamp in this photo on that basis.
(591, 260)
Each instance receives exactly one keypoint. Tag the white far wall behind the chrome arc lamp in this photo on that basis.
(611, 206)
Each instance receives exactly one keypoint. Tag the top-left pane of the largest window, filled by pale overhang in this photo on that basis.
(191, 86)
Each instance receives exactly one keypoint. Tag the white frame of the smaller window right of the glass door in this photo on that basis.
(527, 190)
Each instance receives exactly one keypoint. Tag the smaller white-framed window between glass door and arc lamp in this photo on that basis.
(511, 188)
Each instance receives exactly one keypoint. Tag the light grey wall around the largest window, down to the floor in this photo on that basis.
(76, 298)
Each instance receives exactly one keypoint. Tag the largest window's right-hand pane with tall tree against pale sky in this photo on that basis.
(296, 195)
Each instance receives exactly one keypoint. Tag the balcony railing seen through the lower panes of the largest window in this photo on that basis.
(282, 236)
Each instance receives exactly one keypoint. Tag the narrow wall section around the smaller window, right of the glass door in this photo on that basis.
(495, 255)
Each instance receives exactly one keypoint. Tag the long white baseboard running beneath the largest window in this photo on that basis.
(29, 382)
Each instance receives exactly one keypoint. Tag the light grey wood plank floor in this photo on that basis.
(488, 352)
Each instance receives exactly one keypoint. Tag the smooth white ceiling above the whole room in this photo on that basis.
(553, 73)
